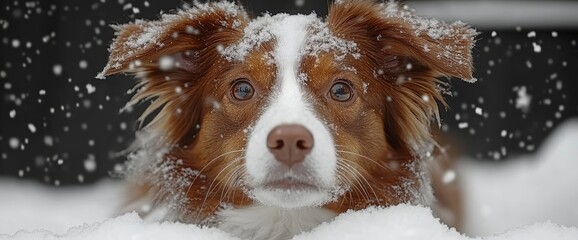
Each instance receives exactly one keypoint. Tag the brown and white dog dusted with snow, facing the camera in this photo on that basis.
(266, 127)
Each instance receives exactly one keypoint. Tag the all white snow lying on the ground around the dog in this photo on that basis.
(524, 198)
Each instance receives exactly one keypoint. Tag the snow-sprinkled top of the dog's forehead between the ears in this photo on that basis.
(294, 37)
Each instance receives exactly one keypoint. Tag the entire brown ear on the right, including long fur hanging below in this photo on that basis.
(405, 54)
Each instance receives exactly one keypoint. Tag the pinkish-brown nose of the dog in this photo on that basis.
(290, 143)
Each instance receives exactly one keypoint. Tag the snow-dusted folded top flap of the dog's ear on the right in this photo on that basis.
(393, 31)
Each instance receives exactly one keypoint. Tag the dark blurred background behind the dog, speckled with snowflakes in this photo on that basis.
(61, 126)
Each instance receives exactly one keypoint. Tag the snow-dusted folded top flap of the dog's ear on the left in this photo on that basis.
(194, 28)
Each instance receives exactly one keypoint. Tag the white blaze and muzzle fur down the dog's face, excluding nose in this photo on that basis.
(289, 104)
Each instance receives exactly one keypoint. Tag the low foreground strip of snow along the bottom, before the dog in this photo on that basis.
(398, 222)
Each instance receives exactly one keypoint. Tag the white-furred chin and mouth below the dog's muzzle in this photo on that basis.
(288, 194)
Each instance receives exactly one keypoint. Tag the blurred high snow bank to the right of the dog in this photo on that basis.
(525, 189)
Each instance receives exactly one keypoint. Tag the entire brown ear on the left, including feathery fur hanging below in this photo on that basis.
(171, 57)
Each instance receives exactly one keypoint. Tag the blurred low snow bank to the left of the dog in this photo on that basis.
(30, 205)
